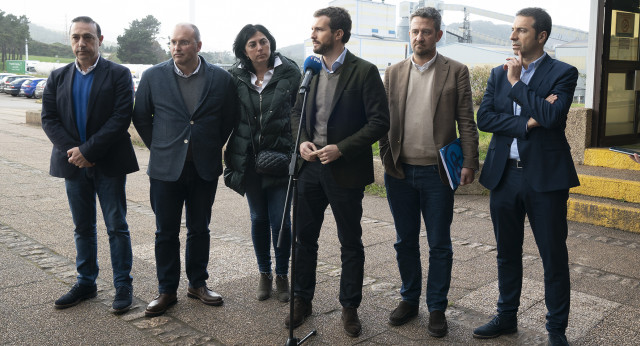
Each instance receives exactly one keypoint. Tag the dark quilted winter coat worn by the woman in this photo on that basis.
(269, 114)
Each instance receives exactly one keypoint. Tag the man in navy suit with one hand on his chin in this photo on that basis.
(529, 170)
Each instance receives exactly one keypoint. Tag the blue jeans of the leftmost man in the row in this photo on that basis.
(81, 193)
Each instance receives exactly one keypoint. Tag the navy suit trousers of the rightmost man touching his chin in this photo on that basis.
(547, 212)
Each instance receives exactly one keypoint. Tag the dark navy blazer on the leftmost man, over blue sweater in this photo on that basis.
(108, 143)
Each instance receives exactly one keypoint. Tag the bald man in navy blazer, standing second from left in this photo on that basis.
(185, 110)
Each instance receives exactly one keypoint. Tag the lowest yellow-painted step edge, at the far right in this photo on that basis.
(602, 214)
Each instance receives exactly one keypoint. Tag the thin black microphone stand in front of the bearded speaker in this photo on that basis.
(292, 190)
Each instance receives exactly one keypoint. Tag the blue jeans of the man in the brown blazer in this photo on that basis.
(422, 191)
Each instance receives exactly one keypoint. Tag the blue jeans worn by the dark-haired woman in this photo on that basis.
(266, 206)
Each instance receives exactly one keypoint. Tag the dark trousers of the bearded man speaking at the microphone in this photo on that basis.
(316, 190)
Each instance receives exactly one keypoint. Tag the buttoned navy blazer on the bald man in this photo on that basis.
(167, 128)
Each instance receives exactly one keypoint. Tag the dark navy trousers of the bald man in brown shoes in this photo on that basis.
(167, 199)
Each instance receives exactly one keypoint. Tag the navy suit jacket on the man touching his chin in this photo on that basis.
(544, 151)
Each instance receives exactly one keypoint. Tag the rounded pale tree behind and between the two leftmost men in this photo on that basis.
(138, 44)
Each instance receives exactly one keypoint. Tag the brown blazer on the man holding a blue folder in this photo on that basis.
(452, 96)
